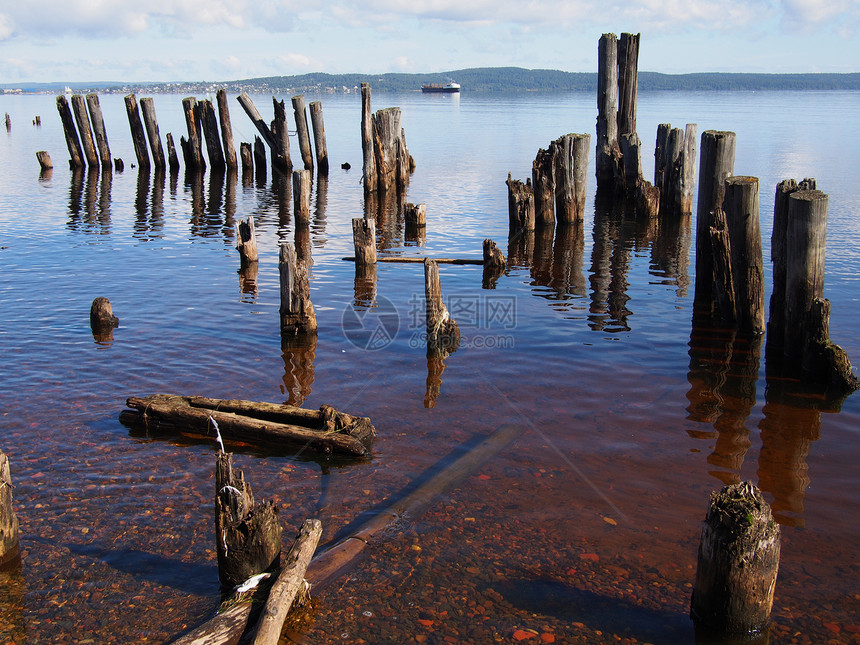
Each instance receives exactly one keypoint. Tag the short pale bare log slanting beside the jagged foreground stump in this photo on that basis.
(289, 584)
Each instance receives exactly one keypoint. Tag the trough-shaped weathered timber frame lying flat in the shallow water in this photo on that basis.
(325, 430)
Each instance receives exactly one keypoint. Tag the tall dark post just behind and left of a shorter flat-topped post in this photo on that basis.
(715, 166)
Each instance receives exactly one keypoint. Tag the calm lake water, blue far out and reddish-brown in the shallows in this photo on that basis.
(584, 530)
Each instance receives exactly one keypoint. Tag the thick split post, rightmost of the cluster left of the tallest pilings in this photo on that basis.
(570, 160)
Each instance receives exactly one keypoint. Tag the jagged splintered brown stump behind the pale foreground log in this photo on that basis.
(247, 535)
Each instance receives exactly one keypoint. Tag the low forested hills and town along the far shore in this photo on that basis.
(485, 79)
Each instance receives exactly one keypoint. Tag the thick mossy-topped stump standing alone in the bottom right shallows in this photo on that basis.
(738, 561)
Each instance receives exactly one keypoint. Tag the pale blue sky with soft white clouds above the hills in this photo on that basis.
(223, 40)
